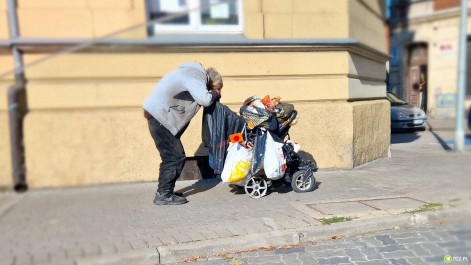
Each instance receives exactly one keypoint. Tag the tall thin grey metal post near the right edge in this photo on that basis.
(460, 92)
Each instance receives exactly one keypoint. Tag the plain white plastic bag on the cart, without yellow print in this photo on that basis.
(274, 162)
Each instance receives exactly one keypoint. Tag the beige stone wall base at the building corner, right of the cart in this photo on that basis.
(342, 134)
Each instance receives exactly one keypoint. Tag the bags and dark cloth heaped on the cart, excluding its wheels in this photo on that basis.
(251, 143)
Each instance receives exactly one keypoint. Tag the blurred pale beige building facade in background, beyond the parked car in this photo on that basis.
(440, 32)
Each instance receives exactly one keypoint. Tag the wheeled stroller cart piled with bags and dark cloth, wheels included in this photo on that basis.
(251, 151)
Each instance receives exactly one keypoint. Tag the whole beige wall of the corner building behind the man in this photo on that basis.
(85, 122)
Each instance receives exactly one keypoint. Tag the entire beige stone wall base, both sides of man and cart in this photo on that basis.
(111, 146)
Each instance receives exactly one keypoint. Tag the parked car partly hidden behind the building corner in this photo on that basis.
(405, 115)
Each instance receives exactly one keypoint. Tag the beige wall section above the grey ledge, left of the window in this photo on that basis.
(78, 19)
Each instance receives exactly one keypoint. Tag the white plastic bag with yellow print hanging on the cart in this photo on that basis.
(237, 164)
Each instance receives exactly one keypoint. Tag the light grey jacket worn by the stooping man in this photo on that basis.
(178, 96)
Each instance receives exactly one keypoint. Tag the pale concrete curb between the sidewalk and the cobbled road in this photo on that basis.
(211, 248)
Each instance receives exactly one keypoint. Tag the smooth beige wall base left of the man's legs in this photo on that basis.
(69, 148)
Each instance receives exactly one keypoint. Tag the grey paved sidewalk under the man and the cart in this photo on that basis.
(90, 224)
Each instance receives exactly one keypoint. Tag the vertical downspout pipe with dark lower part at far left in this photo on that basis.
(17, 106)
